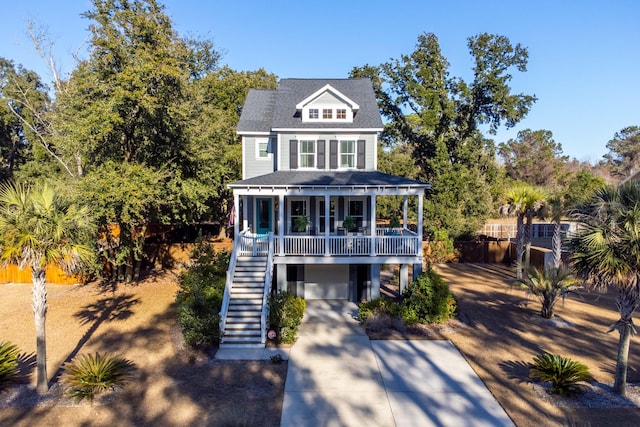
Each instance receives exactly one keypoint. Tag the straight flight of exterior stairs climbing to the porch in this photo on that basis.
(242, 328)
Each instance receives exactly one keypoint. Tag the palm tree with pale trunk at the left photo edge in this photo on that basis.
(38, 228)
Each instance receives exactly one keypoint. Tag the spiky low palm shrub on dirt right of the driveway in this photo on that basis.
(565, 375)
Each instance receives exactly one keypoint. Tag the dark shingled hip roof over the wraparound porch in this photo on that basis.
(328, 179)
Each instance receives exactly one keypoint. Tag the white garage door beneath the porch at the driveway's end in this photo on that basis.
(326, 282)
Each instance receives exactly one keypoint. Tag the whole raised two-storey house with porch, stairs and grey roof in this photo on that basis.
(305, 218)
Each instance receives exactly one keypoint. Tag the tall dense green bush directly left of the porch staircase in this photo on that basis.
(199, 299)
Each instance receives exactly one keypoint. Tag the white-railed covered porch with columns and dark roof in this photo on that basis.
(328, 215)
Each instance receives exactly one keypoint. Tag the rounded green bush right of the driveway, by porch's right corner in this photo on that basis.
(428, 300)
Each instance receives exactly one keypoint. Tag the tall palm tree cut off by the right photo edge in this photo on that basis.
(606, 253)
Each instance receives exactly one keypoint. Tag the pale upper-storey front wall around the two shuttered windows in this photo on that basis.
(285, 137)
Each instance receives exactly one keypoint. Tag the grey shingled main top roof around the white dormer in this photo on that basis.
(266, 110)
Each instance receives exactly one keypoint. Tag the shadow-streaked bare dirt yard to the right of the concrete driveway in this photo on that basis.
(503, 332)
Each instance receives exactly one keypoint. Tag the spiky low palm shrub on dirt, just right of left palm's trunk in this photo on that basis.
(90, 375)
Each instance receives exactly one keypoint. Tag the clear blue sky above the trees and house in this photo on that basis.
(584, 65)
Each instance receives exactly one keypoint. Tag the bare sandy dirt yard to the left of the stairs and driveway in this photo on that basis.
(171, 385)
